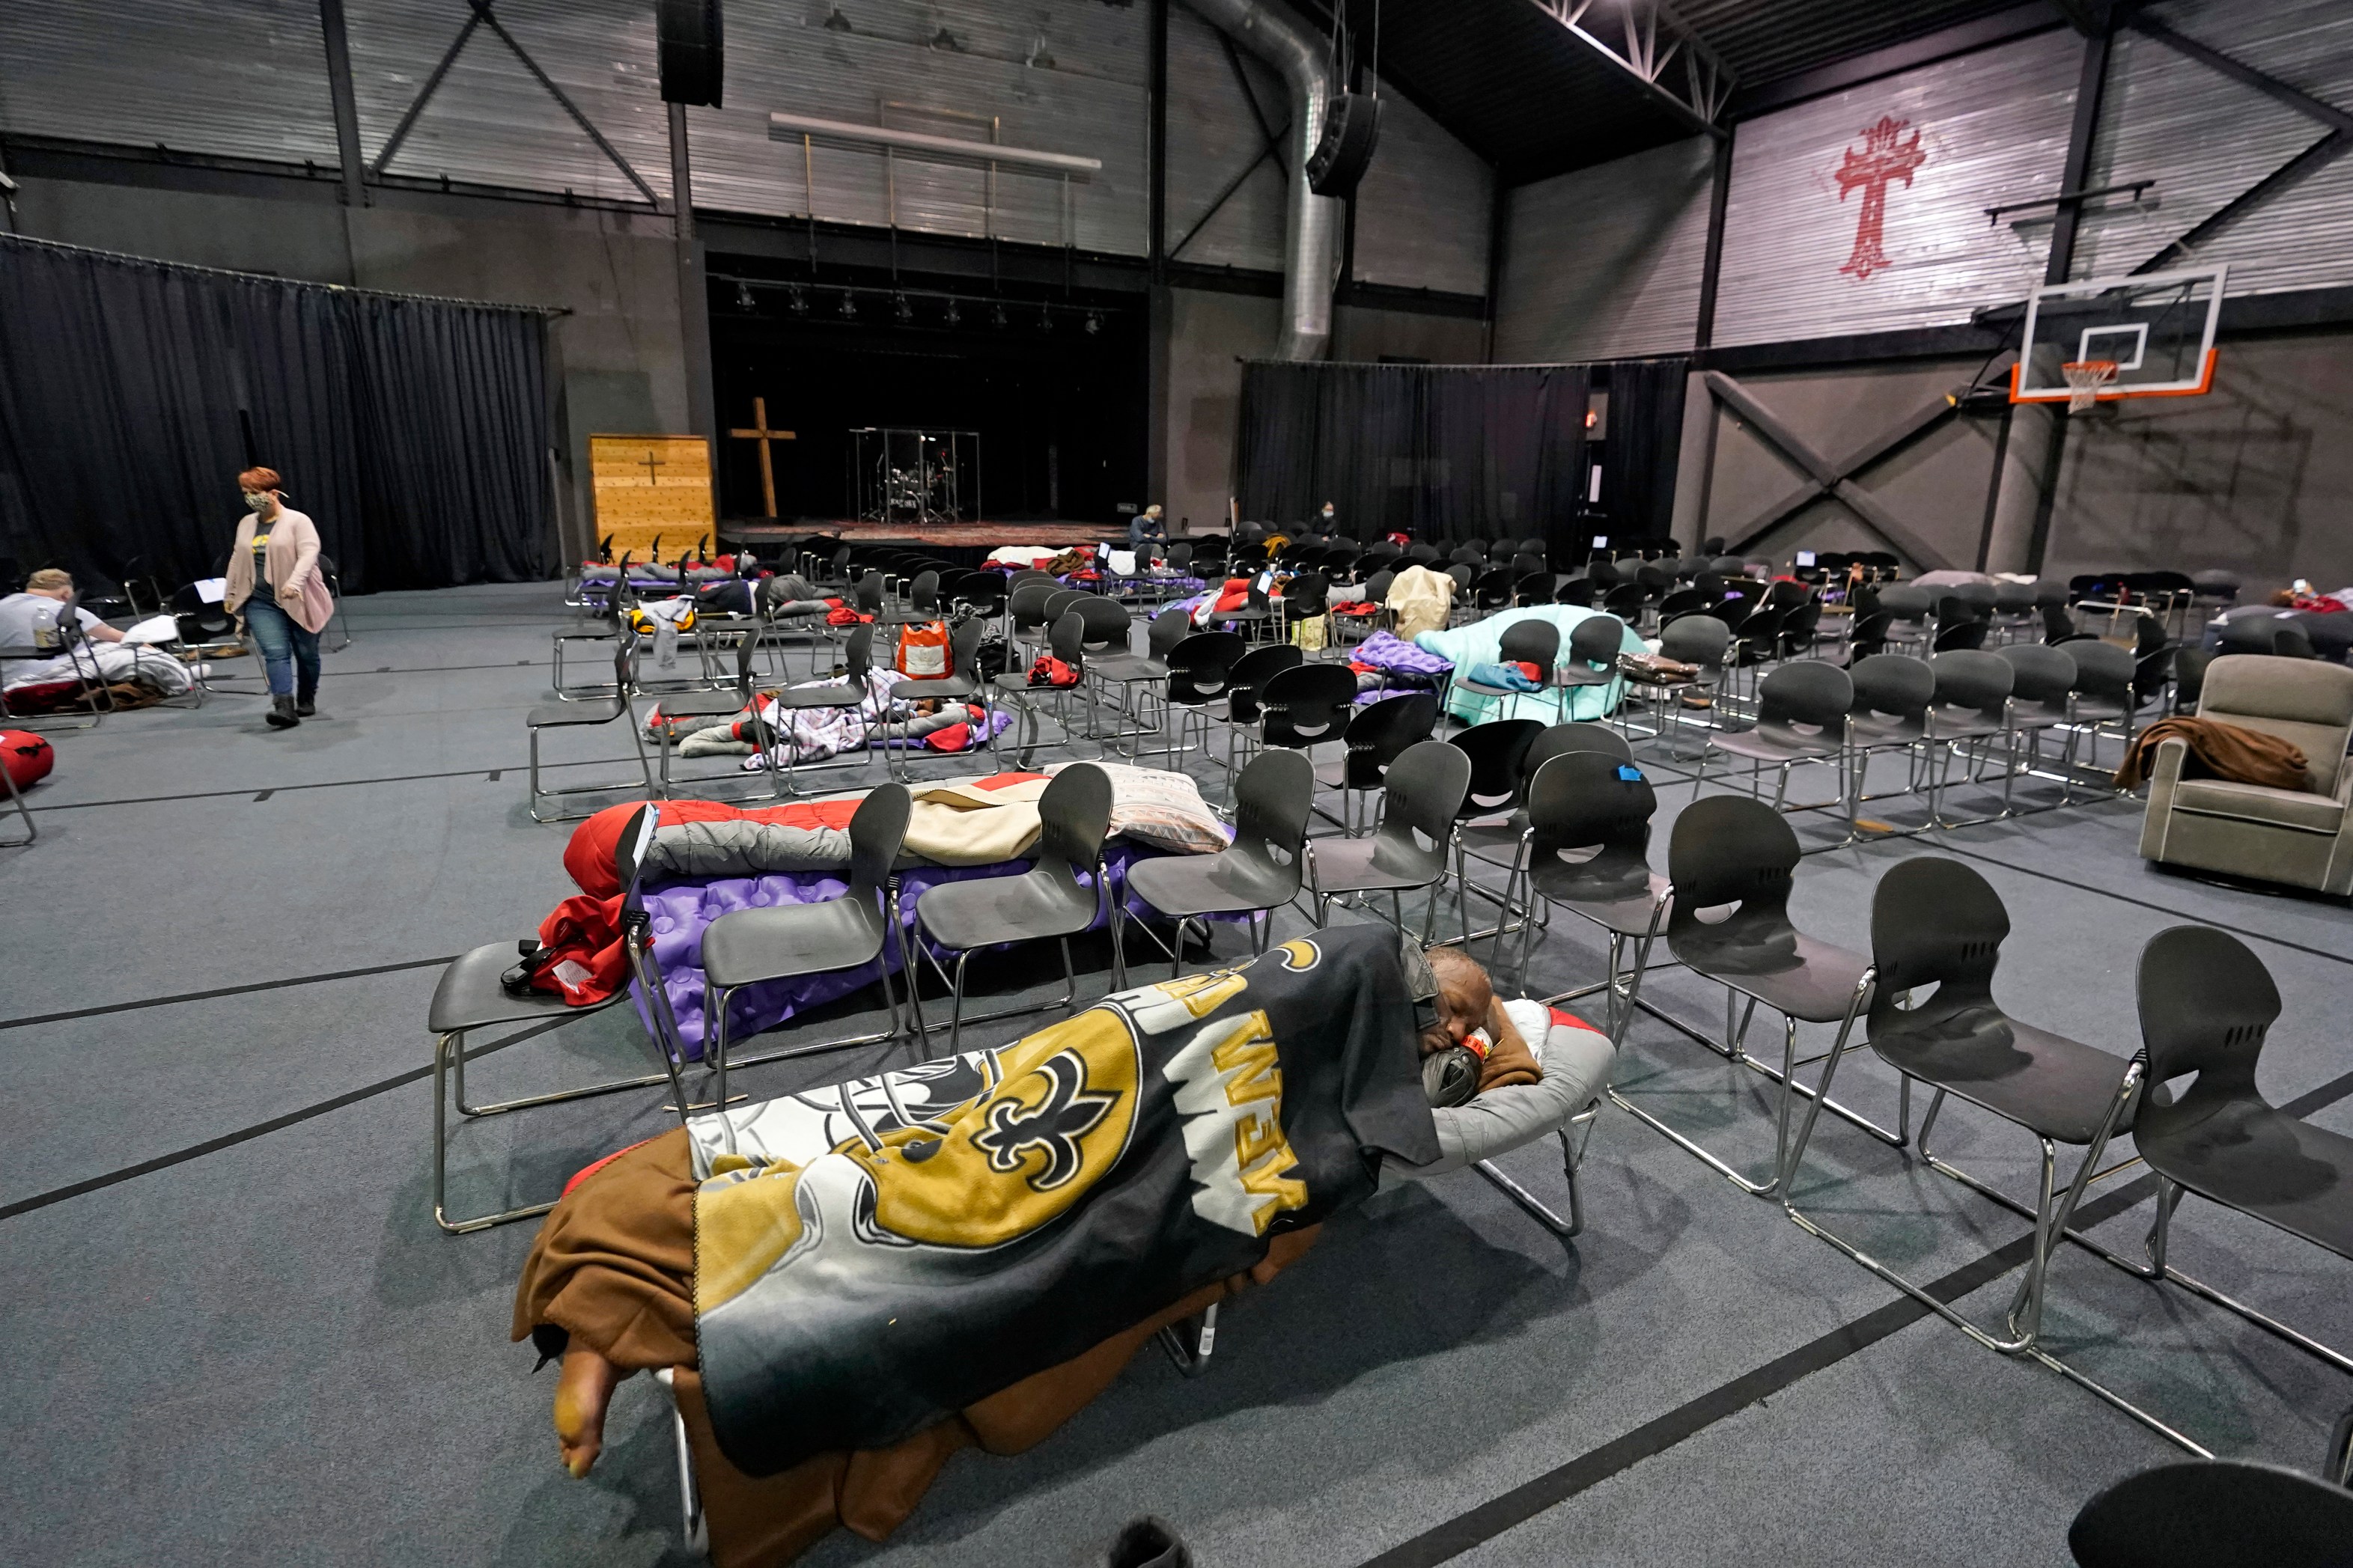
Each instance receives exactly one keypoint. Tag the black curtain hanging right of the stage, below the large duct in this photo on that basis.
(1441, 453)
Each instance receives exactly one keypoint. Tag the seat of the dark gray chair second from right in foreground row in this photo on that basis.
(2046, 1083)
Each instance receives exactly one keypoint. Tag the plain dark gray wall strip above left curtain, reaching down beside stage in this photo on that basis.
(618, 349)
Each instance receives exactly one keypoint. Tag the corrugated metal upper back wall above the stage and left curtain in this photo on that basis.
(1065, 76)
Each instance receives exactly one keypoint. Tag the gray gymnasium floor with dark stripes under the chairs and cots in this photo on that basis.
(234, 1334)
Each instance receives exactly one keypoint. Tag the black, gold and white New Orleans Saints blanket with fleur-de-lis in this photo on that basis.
(881, 1254)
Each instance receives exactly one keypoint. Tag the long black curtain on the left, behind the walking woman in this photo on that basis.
(413, 431)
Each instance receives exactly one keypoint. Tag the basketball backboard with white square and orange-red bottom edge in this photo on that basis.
(2157, 330)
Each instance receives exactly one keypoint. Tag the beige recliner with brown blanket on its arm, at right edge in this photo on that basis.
(2253, 831)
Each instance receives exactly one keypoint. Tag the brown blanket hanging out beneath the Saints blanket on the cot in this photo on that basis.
(615, 1266)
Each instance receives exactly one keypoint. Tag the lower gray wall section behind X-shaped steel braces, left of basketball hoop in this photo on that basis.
(1938, 485)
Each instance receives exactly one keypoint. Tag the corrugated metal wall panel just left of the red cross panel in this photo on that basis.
(1604, 264)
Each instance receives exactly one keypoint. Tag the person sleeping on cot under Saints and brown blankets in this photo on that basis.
(855, 1282)
